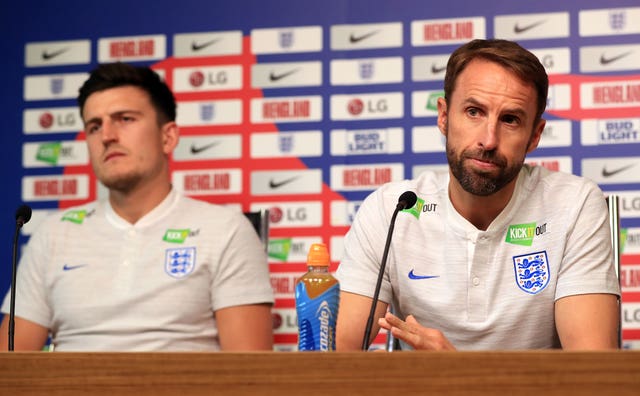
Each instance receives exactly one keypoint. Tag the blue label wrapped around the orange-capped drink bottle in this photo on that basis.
(317, 318)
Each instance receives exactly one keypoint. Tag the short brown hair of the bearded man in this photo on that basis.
(508, 54)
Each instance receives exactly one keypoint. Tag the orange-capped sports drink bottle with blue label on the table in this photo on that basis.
(317, 297)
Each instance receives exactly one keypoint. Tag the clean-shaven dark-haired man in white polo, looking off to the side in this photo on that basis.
(148, 269)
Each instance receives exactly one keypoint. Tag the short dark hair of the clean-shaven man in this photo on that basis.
(113, 75)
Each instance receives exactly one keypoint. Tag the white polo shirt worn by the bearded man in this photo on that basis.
(492, 289)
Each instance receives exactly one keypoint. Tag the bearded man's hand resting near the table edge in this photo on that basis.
(414, 334)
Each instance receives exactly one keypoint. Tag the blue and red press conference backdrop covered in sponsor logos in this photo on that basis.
(305, 107)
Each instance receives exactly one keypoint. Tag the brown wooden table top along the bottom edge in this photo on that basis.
(540, 373)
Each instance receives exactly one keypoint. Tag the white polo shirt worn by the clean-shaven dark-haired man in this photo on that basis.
(100, 283)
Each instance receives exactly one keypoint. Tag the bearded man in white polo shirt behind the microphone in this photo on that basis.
(495, 254)
